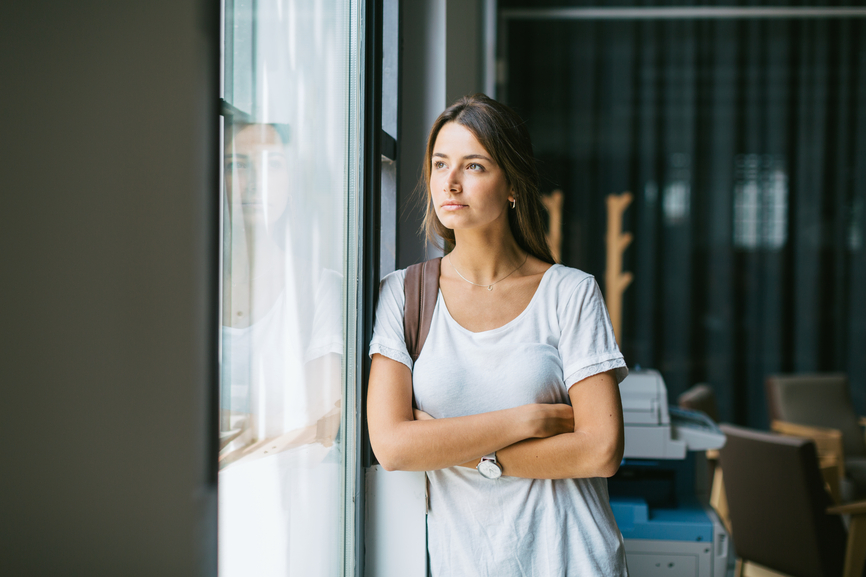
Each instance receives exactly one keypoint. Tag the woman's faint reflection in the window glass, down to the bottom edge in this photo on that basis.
(279, 485)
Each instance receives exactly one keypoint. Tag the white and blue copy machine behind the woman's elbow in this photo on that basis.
(659, 495)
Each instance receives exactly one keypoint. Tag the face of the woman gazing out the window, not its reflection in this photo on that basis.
(468, 188)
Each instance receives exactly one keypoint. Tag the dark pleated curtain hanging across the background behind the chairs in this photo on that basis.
(744, 143)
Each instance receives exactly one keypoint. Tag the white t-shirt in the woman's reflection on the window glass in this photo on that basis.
(279, 514)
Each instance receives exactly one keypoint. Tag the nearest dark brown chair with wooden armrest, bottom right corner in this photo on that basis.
(782, 517)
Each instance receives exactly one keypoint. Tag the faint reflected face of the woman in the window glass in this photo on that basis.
(257, 174)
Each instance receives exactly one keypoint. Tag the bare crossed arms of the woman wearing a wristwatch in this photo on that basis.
(540, 441)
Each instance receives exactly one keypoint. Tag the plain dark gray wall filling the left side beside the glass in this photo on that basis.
(108, 198)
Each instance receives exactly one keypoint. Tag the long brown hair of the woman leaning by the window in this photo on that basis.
(504, 135)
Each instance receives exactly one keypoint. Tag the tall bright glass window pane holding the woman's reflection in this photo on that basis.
(285, 195)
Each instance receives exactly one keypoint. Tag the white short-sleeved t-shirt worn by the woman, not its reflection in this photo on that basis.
(512, 526)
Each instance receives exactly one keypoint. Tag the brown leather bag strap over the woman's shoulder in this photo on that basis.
(421, 288)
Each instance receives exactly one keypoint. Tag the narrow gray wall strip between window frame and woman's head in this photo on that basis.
(442, 59)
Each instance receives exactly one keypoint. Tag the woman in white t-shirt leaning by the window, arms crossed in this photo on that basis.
(519, 371)
